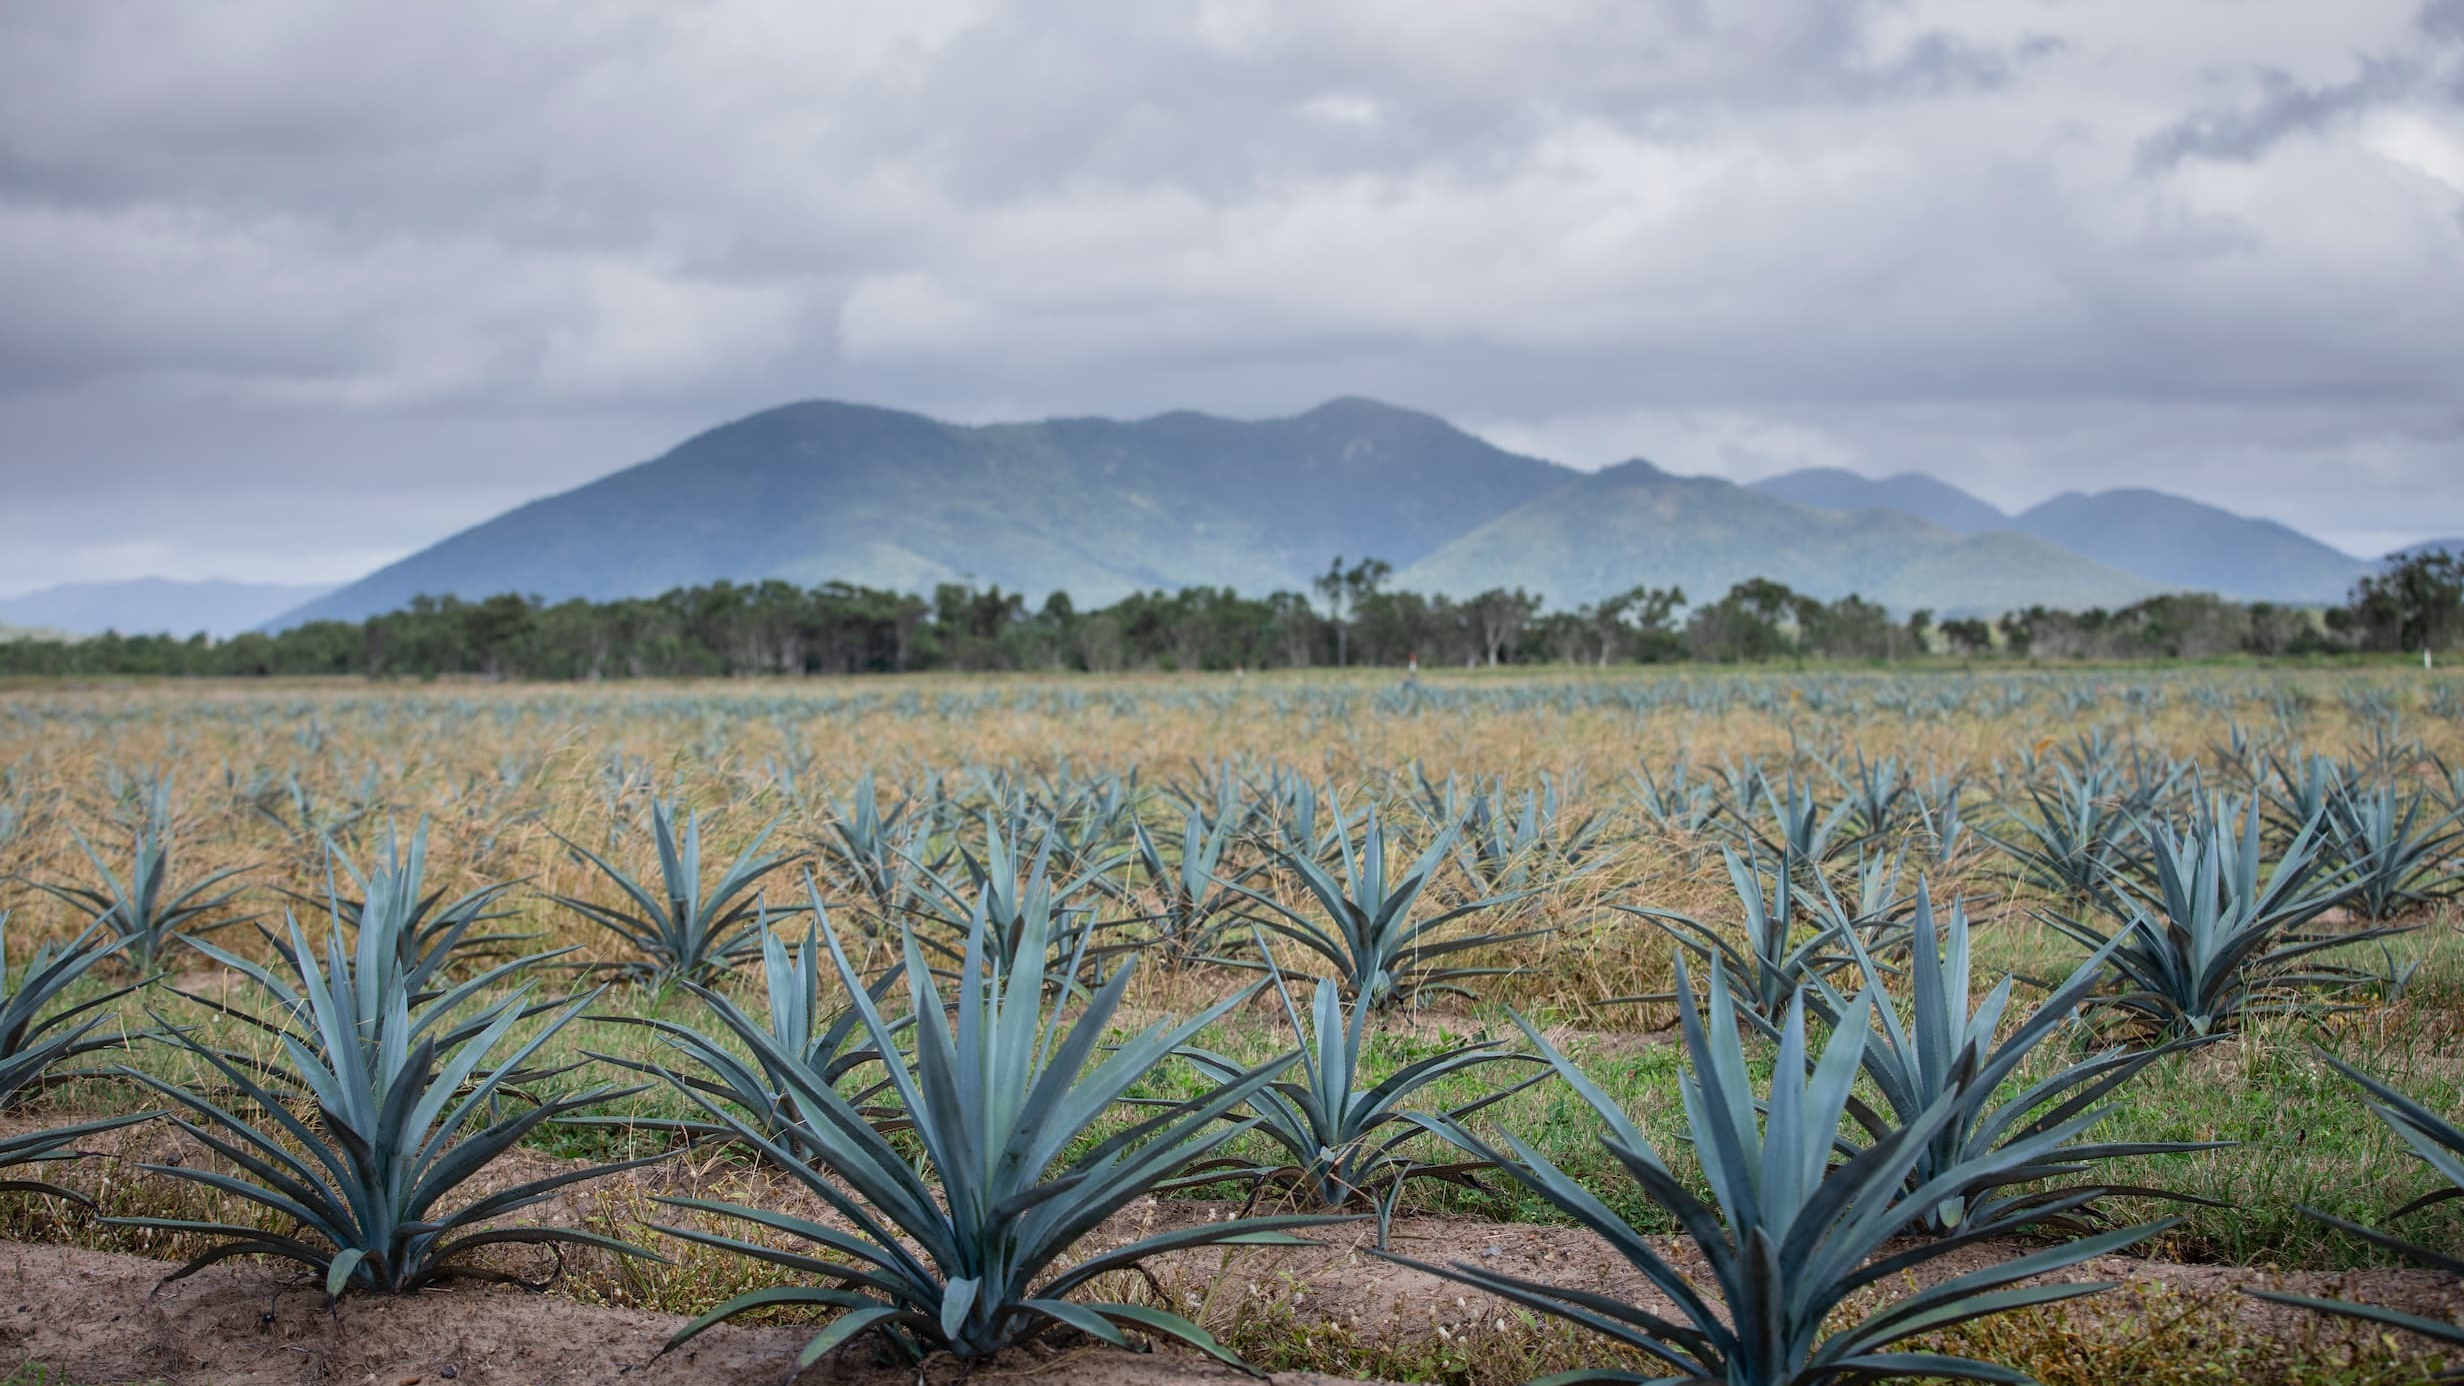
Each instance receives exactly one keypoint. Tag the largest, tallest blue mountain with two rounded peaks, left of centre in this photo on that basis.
(1093, 507)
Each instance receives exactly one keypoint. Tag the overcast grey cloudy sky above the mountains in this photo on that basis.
(290, 287)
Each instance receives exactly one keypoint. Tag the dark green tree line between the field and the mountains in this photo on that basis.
(1352, 615)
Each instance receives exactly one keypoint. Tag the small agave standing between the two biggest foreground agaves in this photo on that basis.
(1339, 1131)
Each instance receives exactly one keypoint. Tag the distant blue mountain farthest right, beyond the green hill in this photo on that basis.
(2199, 549)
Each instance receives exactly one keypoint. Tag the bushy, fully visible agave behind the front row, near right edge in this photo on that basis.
(2214, 943)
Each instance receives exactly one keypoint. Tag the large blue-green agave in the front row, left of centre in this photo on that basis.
(1004, 1101)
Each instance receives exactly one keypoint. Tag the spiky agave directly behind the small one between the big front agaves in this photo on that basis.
(1384, 951)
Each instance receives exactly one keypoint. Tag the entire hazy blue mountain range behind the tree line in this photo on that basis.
(824, 492)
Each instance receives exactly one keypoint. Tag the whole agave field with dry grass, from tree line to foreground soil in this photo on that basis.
(1595, 1027)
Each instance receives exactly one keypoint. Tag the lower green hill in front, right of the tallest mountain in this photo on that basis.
(1635, 524)
